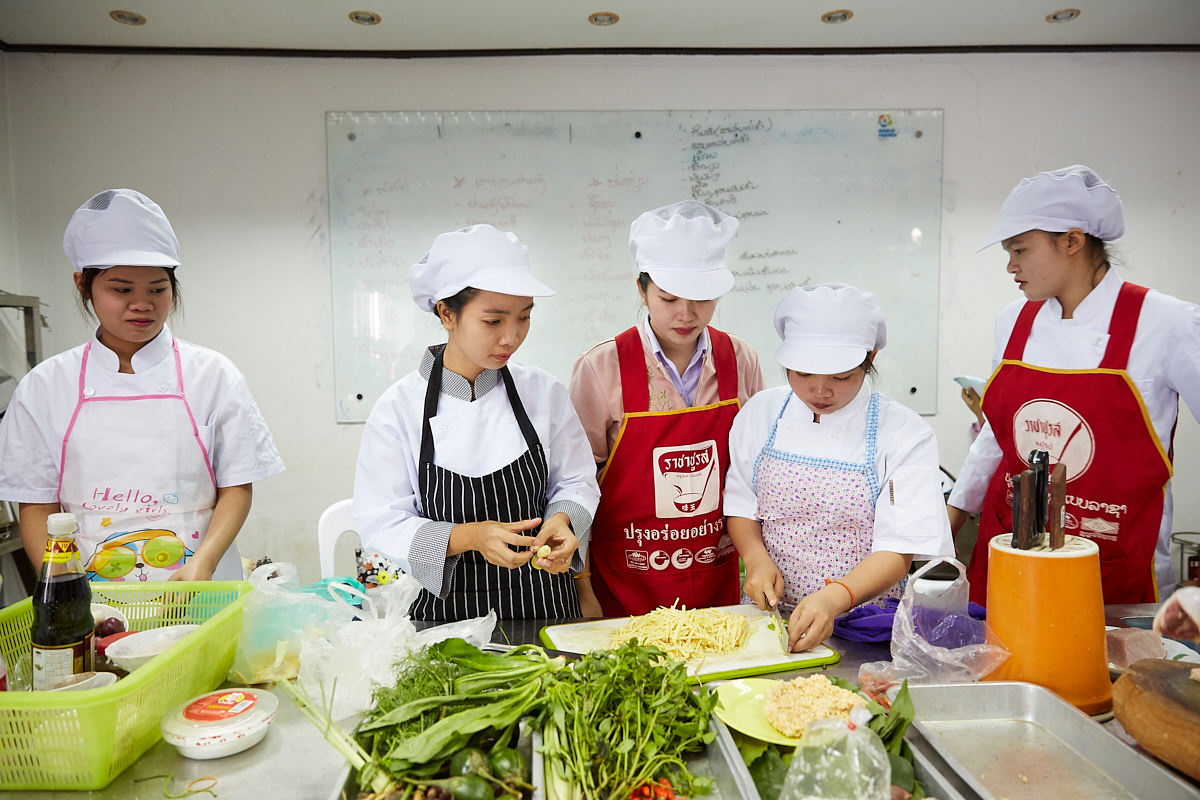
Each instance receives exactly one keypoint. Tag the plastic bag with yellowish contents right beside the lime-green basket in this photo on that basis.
(274, 622)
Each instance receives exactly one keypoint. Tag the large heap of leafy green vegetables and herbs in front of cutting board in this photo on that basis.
(619, 723)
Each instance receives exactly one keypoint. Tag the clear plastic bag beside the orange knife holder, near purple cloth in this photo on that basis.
(935, 640)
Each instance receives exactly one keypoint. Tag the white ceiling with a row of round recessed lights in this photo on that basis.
(425, 27)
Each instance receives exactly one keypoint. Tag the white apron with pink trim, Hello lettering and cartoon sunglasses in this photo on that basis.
(139, 478)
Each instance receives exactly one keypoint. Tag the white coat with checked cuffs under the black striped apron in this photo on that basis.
(471, 438)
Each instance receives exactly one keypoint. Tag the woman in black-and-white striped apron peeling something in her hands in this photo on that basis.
(475, 455)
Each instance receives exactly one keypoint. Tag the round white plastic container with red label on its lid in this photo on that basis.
(220, 724)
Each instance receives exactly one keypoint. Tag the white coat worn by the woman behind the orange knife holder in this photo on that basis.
(1165, 364)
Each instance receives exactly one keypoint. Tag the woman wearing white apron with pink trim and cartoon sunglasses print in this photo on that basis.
(152, 442)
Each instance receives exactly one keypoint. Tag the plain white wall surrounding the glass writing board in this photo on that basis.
(235, 151)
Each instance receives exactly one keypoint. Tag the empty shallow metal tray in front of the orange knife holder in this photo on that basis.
(997, 741)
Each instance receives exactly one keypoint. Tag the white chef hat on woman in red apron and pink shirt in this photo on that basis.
(682, 246)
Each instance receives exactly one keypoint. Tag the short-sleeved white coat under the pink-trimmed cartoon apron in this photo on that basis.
(230, 424)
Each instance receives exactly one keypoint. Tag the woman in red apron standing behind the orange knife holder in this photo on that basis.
(1089, 369)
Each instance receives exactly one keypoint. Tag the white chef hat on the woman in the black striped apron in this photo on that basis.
(479, 257)
